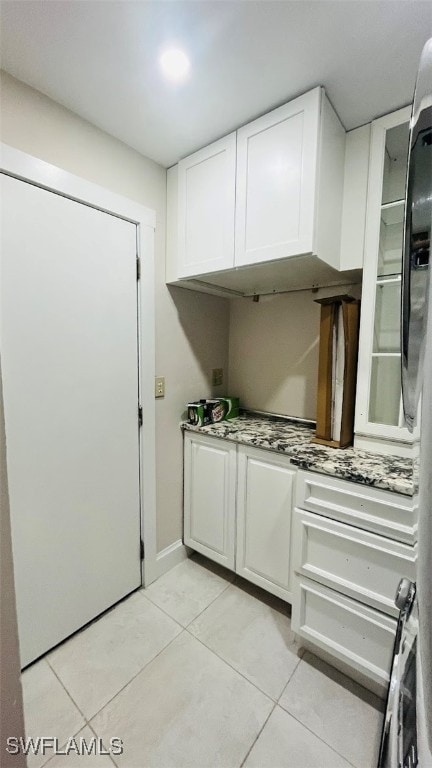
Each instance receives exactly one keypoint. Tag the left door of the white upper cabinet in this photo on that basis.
(206, 200)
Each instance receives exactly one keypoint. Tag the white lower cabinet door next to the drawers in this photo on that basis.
(264, 509)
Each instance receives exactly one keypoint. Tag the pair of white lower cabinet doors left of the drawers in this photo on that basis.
(238, 508)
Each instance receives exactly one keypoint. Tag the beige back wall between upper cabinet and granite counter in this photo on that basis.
(273, 351)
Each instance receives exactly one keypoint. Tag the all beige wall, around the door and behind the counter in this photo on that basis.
(273, 344)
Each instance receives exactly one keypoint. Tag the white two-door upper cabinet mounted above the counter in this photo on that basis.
(240, 209)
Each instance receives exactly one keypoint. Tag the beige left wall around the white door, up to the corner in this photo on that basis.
(191, 329)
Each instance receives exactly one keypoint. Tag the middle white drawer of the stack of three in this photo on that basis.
(359, 564)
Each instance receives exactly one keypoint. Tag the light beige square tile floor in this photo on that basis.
(201, 669)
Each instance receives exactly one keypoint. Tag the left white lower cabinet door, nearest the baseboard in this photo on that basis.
(209, 497)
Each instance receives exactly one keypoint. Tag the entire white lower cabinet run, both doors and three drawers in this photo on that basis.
(338, 556)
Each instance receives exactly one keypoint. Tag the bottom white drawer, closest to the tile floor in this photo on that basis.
(357, 635)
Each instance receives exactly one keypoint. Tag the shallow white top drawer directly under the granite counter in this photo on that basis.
(383, 512)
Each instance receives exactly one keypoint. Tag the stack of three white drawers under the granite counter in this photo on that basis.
(346, 572)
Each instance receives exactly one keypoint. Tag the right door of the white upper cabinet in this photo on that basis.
(276, 180)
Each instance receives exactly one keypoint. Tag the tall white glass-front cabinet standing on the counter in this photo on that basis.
(379, 408)
